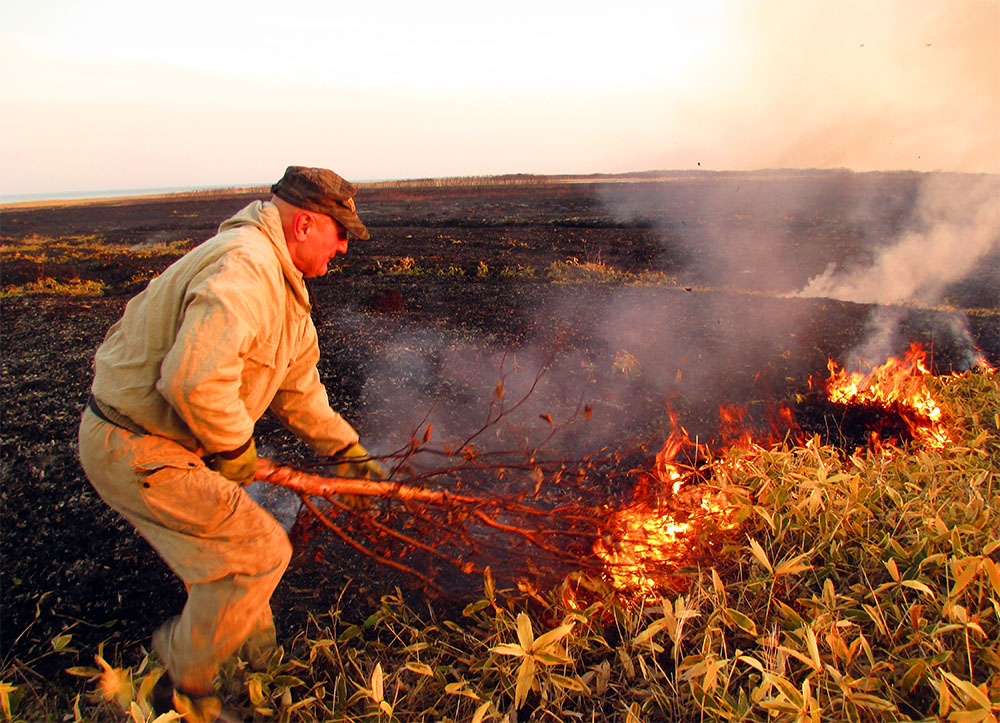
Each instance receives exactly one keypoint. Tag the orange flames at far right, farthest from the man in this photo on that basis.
(899, 383)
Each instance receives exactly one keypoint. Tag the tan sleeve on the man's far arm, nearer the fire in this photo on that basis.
(302, 403)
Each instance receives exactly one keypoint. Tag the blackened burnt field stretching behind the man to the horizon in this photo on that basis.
(629, 294)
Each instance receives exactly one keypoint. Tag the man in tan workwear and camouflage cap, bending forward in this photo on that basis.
(167, 438)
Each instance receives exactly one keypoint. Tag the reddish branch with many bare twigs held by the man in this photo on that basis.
(527, 512)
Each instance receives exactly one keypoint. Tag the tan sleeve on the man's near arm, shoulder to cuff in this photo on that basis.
(224, 312)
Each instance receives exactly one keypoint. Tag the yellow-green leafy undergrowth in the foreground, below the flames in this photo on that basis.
(858, 586)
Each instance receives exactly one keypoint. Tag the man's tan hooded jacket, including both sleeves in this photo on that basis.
(222, 335)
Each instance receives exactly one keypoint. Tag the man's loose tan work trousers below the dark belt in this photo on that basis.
(229, 551)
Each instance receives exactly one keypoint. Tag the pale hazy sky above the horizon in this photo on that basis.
(111, 94)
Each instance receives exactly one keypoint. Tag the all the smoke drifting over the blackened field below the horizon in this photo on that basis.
(601, 362)
